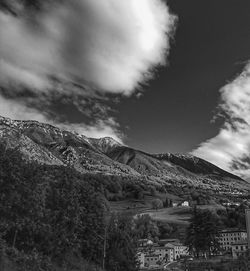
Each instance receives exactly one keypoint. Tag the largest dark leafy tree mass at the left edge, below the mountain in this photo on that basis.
(52, 210)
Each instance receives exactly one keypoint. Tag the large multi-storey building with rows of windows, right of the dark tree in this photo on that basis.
(229, 236)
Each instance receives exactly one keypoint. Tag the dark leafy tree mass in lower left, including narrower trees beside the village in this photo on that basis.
(51, 214)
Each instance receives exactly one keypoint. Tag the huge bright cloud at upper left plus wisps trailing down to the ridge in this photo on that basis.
(111, 45)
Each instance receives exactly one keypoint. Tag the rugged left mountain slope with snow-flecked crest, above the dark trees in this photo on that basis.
(64, 147)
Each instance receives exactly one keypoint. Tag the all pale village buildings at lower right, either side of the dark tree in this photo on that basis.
(159, 255)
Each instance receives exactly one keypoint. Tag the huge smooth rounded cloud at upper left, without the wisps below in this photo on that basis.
(112, 44)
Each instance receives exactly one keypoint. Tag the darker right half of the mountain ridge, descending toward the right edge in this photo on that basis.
(179, 170)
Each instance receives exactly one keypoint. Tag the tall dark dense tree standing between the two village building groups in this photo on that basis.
(202, 233)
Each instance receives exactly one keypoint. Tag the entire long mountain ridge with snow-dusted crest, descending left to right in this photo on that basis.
(46, 144)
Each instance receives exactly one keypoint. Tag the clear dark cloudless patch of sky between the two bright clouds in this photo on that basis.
(210, 48)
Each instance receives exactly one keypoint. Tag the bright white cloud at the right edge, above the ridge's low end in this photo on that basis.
(230, 149)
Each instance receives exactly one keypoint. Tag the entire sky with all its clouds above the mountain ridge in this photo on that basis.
(160, 76)
